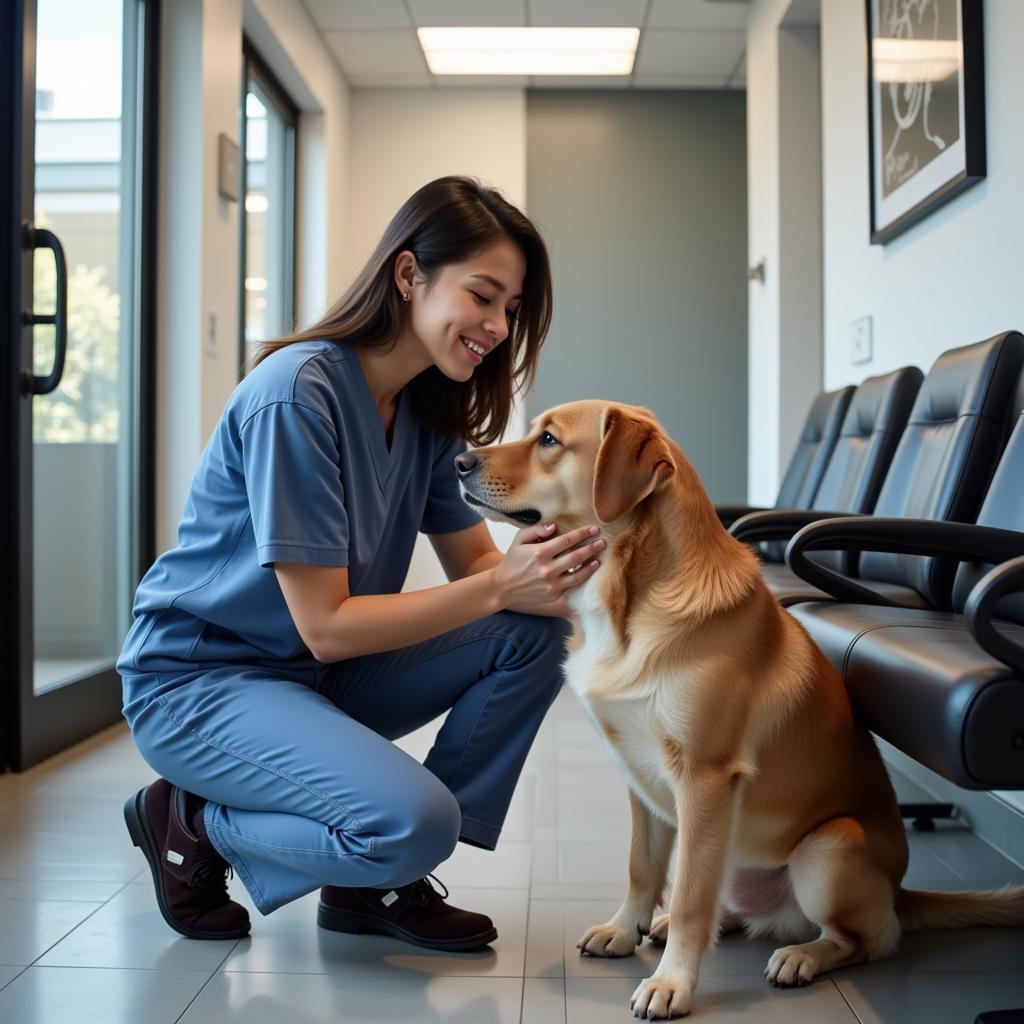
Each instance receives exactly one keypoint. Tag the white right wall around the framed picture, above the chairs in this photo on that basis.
(954, 279)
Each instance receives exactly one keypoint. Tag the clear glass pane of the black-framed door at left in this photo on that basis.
(89, 94)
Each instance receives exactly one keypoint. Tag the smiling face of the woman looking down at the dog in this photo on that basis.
(464, 314)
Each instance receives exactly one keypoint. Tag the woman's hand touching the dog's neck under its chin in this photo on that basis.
(540, 568)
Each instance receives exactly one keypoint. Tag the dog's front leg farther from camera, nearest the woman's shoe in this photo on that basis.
(651, 848)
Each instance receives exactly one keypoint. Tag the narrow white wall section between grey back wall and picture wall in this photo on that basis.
(784, 212)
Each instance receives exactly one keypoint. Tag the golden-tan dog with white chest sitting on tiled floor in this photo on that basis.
(733, 730)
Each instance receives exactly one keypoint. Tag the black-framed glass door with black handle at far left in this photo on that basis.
(79, 471)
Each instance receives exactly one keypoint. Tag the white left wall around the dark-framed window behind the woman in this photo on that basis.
(199, 272)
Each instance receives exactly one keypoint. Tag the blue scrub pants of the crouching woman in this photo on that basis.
(305, 788)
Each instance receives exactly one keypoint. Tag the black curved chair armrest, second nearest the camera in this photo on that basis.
(932, 538)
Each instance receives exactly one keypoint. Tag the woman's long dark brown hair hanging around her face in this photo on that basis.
(449, 221)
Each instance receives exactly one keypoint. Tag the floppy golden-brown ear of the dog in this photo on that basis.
(633, 461)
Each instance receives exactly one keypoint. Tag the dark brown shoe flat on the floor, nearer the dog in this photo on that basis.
(416, 913)
